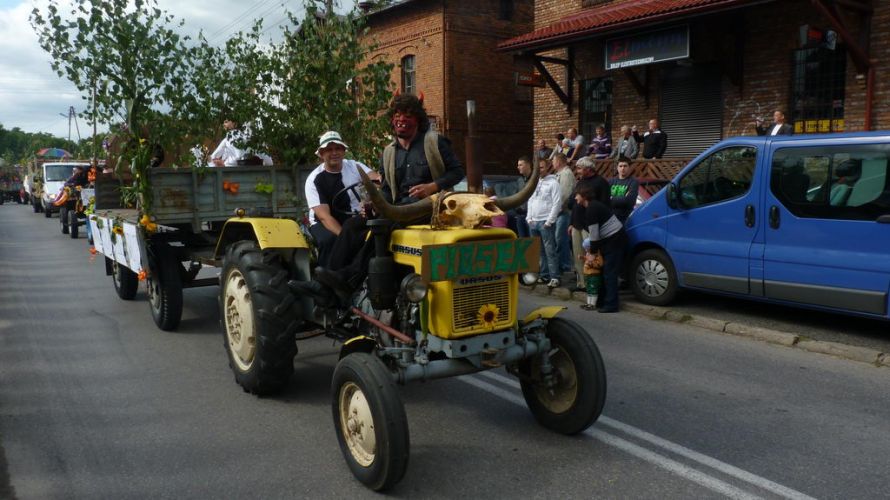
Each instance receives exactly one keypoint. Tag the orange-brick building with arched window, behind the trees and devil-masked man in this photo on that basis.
(446, 50)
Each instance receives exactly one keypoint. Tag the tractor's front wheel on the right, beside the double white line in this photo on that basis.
(578, 394)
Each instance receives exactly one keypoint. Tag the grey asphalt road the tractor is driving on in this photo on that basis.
(95, 402)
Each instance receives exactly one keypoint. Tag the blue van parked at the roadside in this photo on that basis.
(801, 220)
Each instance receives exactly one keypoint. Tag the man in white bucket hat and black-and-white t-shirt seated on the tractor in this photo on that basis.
(335, 172)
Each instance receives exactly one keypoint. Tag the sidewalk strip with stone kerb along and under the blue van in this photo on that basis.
(864, 340)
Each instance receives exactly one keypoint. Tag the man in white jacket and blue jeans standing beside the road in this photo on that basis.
(543, 210)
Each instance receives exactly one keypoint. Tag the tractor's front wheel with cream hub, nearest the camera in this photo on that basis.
(370, 421)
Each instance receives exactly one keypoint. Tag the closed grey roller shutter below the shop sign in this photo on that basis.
(691, 109)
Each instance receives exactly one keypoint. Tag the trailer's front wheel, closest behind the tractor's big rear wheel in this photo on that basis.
(164, 286)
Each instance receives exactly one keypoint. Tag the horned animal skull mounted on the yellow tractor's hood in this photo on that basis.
(456, 209)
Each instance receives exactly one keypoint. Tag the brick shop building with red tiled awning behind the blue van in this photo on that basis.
(707, 68)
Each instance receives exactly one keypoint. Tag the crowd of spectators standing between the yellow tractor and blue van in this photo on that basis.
(579, 215)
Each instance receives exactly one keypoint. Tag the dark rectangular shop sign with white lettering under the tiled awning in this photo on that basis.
(648, 48)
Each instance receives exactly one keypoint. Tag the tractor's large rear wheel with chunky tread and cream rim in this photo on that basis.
(259, 318)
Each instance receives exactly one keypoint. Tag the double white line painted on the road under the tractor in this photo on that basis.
(662, 461)
